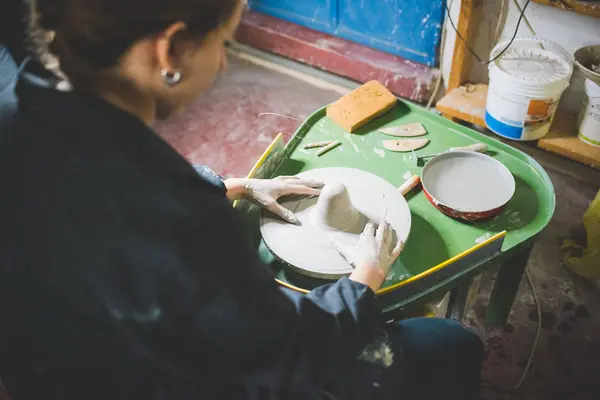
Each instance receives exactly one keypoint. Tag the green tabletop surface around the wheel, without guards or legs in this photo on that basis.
(434, 237)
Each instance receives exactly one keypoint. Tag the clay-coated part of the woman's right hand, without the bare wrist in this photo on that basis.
(375, 248)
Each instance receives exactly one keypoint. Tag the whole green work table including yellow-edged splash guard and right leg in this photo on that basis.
(441, 254)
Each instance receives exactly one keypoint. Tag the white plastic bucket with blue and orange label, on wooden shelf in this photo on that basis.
(526, 84)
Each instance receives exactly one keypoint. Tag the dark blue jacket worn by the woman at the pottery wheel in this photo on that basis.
(125, 275)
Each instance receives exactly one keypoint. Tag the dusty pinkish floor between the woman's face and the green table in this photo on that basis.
(232, 125)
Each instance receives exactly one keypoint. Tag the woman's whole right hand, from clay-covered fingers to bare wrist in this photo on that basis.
(373, 256)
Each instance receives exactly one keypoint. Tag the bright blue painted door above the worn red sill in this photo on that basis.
(407, 28)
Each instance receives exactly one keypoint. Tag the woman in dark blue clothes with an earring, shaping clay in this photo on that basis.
(126, 275)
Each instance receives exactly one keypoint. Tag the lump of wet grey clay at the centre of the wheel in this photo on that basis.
(334, 210)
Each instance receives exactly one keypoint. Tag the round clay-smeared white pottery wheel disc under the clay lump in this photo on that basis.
(307, 247)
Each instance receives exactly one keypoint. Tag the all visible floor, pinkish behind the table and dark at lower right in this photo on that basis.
(225, 130)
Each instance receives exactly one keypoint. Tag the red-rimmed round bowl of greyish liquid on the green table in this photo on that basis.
(468, 186)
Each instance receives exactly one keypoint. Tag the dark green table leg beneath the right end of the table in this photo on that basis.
(506, 287)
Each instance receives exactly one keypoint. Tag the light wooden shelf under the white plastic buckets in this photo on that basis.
(467, 103)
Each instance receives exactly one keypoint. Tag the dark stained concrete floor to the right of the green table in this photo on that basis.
(567, 360)
